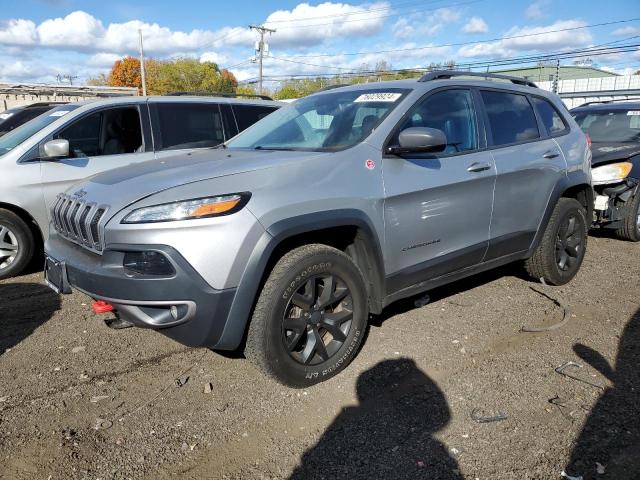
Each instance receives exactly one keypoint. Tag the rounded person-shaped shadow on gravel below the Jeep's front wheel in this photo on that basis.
(390, 434)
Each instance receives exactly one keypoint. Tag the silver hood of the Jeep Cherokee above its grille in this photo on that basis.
(125, 185)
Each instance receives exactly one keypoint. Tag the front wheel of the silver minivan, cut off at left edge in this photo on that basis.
(16, 244)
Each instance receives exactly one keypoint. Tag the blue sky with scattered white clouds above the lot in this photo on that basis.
(42, 38)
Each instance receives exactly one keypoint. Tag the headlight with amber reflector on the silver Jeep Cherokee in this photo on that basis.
(189, 209)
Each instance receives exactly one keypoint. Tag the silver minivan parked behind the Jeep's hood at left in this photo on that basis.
(77, 140)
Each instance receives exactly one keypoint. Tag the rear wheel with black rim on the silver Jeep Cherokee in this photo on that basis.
(561, 251)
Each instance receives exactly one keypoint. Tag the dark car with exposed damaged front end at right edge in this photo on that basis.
(614, 130)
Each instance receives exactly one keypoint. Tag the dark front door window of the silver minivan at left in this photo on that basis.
(114, 131)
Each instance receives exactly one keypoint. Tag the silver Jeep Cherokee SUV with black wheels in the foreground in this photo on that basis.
(331, 208)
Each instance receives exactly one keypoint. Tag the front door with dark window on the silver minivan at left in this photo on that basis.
(100, 140)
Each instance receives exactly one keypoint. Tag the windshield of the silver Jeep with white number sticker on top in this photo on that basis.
(325, 122)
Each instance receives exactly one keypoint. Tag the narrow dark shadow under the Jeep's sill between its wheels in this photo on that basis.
(399, 307)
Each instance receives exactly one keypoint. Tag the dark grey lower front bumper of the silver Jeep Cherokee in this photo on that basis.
(182, 306)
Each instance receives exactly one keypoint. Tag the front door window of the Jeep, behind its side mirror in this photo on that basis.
(451, 111)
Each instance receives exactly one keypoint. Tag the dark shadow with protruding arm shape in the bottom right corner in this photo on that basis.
(611, 433)
